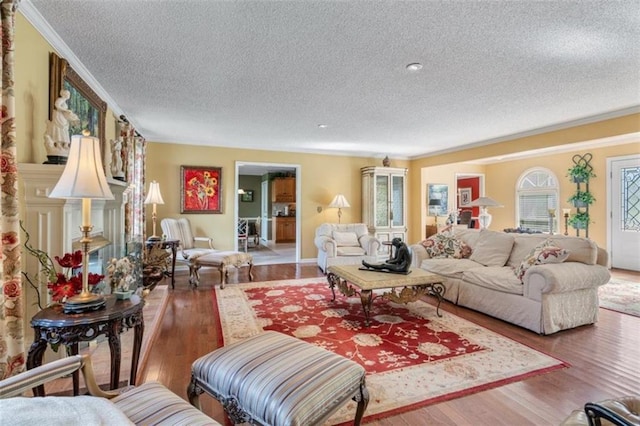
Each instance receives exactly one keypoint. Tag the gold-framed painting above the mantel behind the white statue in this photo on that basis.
(83, 101)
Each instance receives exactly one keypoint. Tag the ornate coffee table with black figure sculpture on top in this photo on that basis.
(351, 280)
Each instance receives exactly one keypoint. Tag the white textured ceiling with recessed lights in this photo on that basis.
(265, 74)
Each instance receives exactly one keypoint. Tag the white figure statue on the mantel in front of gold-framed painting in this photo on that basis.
(56, 138)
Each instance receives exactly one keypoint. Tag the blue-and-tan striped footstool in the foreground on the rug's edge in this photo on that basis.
(275, 379)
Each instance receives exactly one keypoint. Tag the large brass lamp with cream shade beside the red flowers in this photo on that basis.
(83, 178)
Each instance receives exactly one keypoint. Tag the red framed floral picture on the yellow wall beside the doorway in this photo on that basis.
(200, 189)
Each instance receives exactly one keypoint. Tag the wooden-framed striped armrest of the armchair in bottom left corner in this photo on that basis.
(18, 384)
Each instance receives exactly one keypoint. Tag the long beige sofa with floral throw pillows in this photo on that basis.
(552, 293)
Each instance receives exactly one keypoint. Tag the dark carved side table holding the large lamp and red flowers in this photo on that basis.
(52, 326)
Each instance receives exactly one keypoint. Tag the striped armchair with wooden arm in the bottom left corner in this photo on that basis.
(148, 404)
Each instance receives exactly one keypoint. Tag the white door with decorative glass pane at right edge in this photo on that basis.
(625, 213)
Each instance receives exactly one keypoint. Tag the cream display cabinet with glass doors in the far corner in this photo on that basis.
(384, 205)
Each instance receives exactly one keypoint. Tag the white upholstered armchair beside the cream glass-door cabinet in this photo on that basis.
(345, 244)
